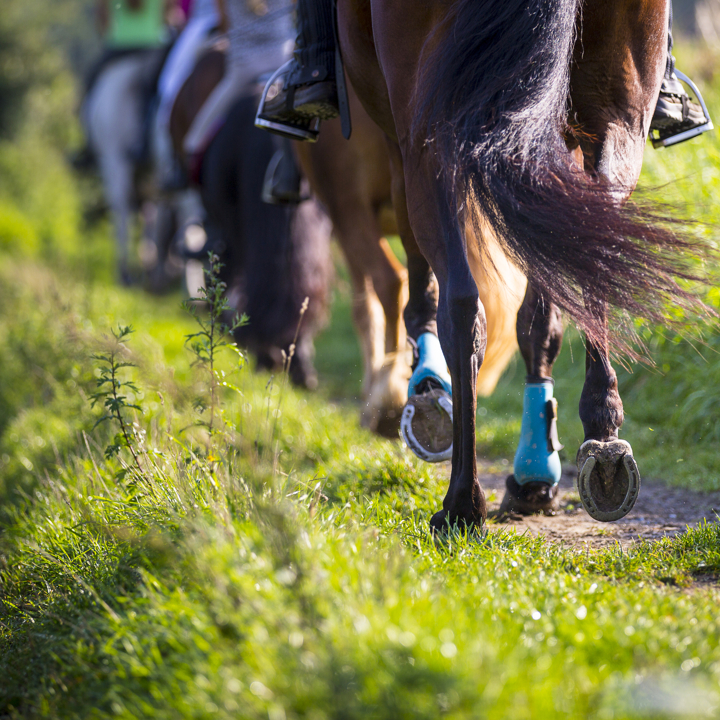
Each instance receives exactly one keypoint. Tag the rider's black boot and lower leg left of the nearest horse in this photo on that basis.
(305, 88)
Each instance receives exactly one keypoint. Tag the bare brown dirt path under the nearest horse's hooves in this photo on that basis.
(660, 511)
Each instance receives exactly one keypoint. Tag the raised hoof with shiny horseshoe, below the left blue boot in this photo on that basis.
(426, 425)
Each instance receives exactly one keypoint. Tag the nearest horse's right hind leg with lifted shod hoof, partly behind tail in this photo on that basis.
(623, 53)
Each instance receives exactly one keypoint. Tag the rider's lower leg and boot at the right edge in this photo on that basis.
(675, 113)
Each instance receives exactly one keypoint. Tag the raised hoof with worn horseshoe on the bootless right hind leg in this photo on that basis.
(608, 479)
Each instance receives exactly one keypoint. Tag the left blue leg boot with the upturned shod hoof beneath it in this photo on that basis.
(426, 423)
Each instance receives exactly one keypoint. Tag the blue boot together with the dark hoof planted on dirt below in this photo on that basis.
(534, 485)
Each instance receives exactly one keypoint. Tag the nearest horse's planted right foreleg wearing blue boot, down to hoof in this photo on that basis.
(533, 485)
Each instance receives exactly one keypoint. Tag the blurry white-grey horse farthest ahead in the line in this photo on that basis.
(114, 112)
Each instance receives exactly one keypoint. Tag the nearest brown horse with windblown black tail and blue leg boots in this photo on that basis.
(526, 121)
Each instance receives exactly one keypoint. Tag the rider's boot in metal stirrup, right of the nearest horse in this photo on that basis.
(677, 118)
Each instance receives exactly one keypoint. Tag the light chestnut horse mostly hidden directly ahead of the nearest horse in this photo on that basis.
(353, 179)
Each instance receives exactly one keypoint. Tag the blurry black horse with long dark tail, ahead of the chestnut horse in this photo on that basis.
(276, 257)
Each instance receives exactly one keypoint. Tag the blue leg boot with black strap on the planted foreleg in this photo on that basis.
(537, 456)
